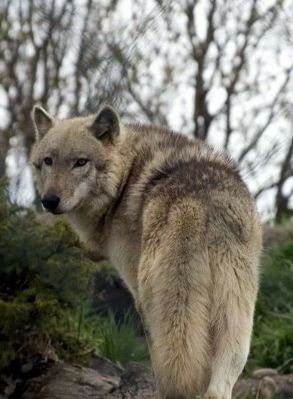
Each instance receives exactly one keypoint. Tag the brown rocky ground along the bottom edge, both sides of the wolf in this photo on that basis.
(103, 379)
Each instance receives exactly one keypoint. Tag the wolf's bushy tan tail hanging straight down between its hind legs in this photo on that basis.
(179, 314)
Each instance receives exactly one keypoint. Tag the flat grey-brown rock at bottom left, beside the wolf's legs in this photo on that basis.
(64, 381)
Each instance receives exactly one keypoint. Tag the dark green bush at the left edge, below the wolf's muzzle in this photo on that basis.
(44, 278)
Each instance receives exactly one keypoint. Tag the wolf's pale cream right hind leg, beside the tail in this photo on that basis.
(234, 295)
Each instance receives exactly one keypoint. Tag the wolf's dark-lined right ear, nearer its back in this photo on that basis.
(106, 124)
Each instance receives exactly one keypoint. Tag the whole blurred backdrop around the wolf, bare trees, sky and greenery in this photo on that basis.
(220, 70)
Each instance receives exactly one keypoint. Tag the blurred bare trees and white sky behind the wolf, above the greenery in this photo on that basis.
(218, 70)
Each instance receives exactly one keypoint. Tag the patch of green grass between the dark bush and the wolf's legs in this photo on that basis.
(119, 342)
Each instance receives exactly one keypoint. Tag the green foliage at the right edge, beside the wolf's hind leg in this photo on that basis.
(272, 344)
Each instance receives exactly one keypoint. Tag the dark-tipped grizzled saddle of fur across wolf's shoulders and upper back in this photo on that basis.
(167, 167)
